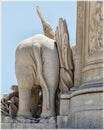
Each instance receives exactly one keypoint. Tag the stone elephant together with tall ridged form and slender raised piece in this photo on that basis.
(42, 62)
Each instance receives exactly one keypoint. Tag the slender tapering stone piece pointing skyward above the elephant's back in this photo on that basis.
(48, 31)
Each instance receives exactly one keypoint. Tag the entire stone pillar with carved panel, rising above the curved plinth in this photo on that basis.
(89, 52)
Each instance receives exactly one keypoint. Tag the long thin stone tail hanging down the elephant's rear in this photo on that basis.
(39, 68)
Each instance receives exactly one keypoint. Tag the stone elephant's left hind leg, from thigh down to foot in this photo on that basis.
(25, 78)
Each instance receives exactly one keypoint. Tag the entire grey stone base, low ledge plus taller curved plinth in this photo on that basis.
(79, 109)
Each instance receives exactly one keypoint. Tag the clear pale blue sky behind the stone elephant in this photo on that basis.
(20, 21)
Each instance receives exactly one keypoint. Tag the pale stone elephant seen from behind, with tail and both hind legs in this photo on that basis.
(37, 64)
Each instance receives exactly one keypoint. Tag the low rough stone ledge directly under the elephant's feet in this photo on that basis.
(28, 123)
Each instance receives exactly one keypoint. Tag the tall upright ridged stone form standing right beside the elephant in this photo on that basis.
(65, 56)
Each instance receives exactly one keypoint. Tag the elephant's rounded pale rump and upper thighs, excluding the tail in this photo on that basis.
(26, 66)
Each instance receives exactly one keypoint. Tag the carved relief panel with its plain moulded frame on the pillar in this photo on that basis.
(93, 32)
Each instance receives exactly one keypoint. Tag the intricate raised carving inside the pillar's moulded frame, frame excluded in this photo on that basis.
(95, 27)
